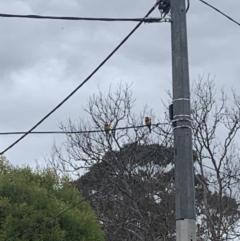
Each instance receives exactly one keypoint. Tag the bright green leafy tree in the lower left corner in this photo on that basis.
(31, 198)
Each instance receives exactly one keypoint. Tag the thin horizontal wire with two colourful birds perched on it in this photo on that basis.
(77, 132)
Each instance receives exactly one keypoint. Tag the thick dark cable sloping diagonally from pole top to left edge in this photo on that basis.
(85, 81)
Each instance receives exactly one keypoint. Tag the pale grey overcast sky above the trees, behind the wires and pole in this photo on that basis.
(42, 61)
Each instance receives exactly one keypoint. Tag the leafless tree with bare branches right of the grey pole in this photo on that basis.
(216, 122)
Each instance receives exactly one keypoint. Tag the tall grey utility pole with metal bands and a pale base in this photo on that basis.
(184, 175)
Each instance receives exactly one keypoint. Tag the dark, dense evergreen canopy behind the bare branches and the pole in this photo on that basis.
(140, 205)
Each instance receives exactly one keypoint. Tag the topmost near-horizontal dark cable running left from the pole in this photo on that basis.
(144, 20)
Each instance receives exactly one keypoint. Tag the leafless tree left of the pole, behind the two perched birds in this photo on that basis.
(131, 167)
